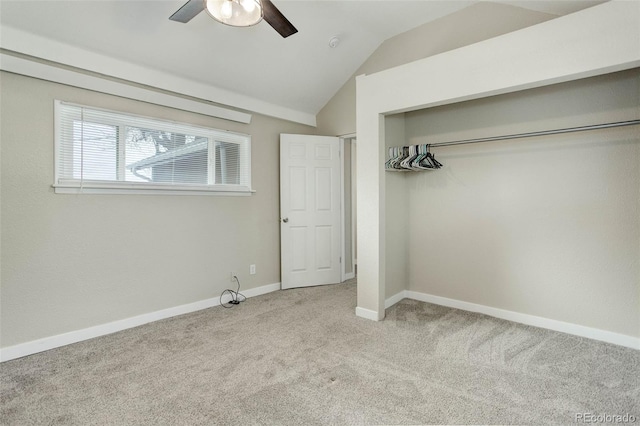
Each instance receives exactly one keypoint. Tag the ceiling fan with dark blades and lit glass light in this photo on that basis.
(238, 13)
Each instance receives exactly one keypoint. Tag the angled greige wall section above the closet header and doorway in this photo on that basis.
(470, 25)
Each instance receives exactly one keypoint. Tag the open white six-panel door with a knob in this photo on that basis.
(310, 211)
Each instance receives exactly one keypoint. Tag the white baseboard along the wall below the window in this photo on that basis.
(44, 344)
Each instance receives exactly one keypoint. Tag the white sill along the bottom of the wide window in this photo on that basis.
(146, 189)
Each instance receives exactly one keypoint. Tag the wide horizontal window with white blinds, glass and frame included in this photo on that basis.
(105, 151)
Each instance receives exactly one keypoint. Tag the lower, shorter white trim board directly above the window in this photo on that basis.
(72, 78)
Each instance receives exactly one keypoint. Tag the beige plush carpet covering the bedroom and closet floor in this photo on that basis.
(302, 357)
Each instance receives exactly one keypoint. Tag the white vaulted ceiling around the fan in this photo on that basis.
(299, 73)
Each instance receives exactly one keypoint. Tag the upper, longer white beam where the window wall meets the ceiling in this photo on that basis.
(51, 50)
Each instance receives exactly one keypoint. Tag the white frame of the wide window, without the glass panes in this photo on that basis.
(64, 185)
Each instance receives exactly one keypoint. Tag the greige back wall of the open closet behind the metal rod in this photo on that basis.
(546, 226)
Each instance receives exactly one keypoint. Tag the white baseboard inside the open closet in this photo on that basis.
(550, 324)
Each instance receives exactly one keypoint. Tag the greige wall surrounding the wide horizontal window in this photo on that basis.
(74, 261)
